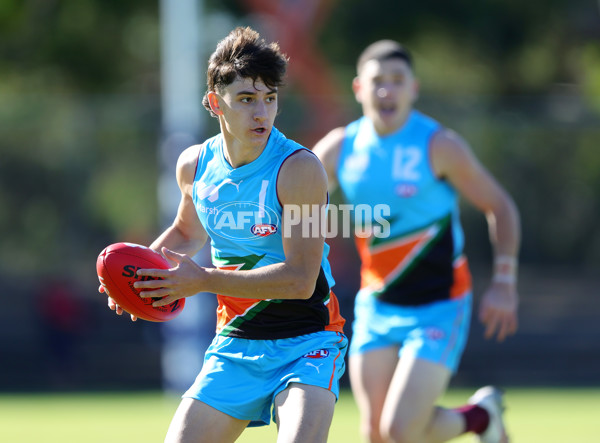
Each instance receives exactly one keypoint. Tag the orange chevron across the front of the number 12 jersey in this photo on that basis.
(384, 263)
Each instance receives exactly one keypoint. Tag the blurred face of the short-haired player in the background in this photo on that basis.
(386, 90)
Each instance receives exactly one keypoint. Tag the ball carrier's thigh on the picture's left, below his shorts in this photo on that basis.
(197, 422)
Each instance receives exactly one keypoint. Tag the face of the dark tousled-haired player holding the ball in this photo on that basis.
(248, 109)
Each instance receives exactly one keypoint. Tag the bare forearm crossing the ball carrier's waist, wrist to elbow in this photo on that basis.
(277, 281)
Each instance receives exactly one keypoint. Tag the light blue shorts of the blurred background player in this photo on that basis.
(435, 332)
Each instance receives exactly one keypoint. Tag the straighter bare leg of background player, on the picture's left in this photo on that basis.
(370, 376)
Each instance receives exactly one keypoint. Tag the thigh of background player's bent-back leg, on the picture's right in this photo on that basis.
(416, 386)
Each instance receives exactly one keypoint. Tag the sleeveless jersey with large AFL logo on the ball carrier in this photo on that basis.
(241, 212)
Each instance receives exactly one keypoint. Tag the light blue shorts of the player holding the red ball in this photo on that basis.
(242, 377)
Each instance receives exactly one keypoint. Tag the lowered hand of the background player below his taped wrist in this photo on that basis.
(498, 310)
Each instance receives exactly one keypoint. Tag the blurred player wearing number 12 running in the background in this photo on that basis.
(413, 309)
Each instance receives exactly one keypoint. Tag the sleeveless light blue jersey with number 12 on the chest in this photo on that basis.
(424, 228)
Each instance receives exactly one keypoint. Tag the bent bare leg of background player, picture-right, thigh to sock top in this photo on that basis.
(409, 413)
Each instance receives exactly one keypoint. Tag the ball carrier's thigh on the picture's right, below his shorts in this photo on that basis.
(304, 413)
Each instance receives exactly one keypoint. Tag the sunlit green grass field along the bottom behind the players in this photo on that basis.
(533, 416)
